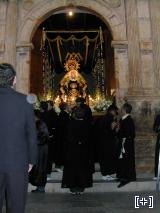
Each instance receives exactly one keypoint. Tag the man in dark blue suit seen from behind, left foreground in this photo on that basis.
(18, 145)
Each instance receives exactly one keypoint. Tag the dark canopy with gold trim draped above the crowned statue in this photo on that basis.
(59, 43)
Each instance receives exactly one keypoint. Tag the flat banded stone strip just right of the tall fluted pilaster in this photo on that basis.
(145, 46)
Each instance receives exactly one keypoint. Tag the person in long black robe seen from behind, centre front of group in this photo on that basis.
(78, 168)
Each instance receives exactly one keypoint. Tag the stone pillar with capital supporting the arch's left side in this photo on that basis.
(23, 67)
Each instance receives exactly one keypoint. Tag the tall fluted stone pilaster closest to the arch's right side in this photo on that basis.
(135, 78)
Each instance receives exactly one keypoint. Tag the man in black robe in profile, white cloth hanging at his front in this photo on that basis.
(126, 133)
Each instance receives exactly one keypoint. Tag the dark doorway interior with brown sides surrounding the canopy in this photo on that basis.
(79, 21)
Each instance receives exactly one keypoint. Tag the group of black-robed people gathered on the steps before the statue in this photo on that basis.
(74, 140)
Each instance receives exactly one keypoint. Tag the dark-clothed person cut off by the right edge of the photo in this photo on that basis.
(156, 129)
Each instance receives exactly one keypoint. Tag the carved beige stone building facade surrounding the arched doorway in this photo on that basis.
(135, 28)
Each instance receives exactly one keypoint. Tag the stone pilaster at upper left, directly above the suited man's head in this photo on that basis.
(10, 32)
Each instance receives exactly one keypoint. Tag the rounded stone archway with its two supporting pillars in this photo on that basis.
(40, 11)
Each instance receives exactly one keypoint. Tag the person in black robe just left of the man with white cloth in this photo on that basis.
(107, 143)
